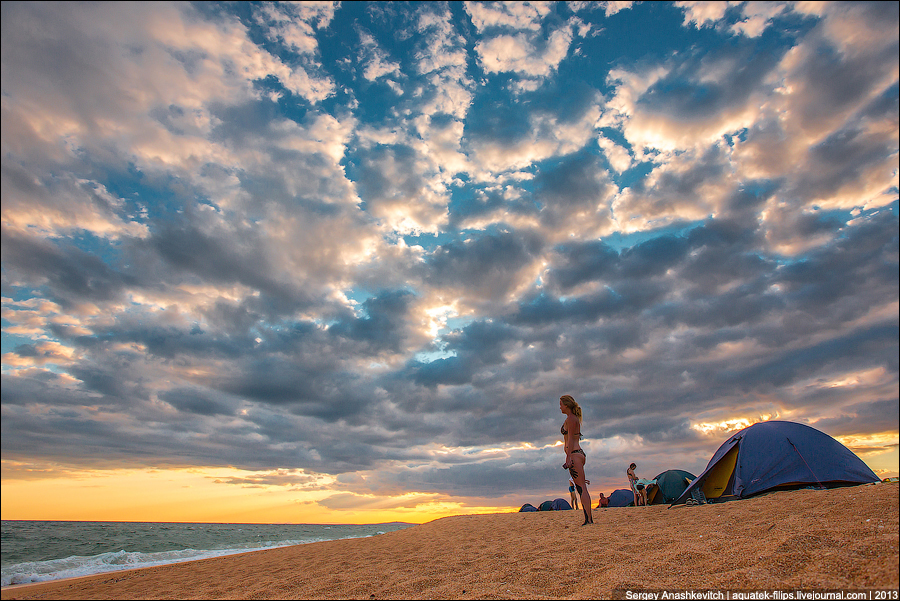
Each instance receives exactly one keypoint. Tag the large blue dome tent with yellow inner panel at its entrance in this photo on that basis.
(776, 455)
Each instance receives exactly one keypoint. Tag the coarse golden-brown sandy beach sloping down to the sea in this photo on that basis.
(798, 540)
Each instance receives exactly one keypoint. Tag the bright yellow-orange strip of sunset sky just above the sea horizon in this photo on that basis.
(206, 496)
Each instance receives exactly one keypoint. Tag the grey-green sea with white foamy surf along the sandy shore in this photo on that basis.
(43, 551)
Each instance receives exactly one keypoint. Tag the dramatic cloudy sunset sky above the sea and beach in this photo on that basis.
(329, 261)
